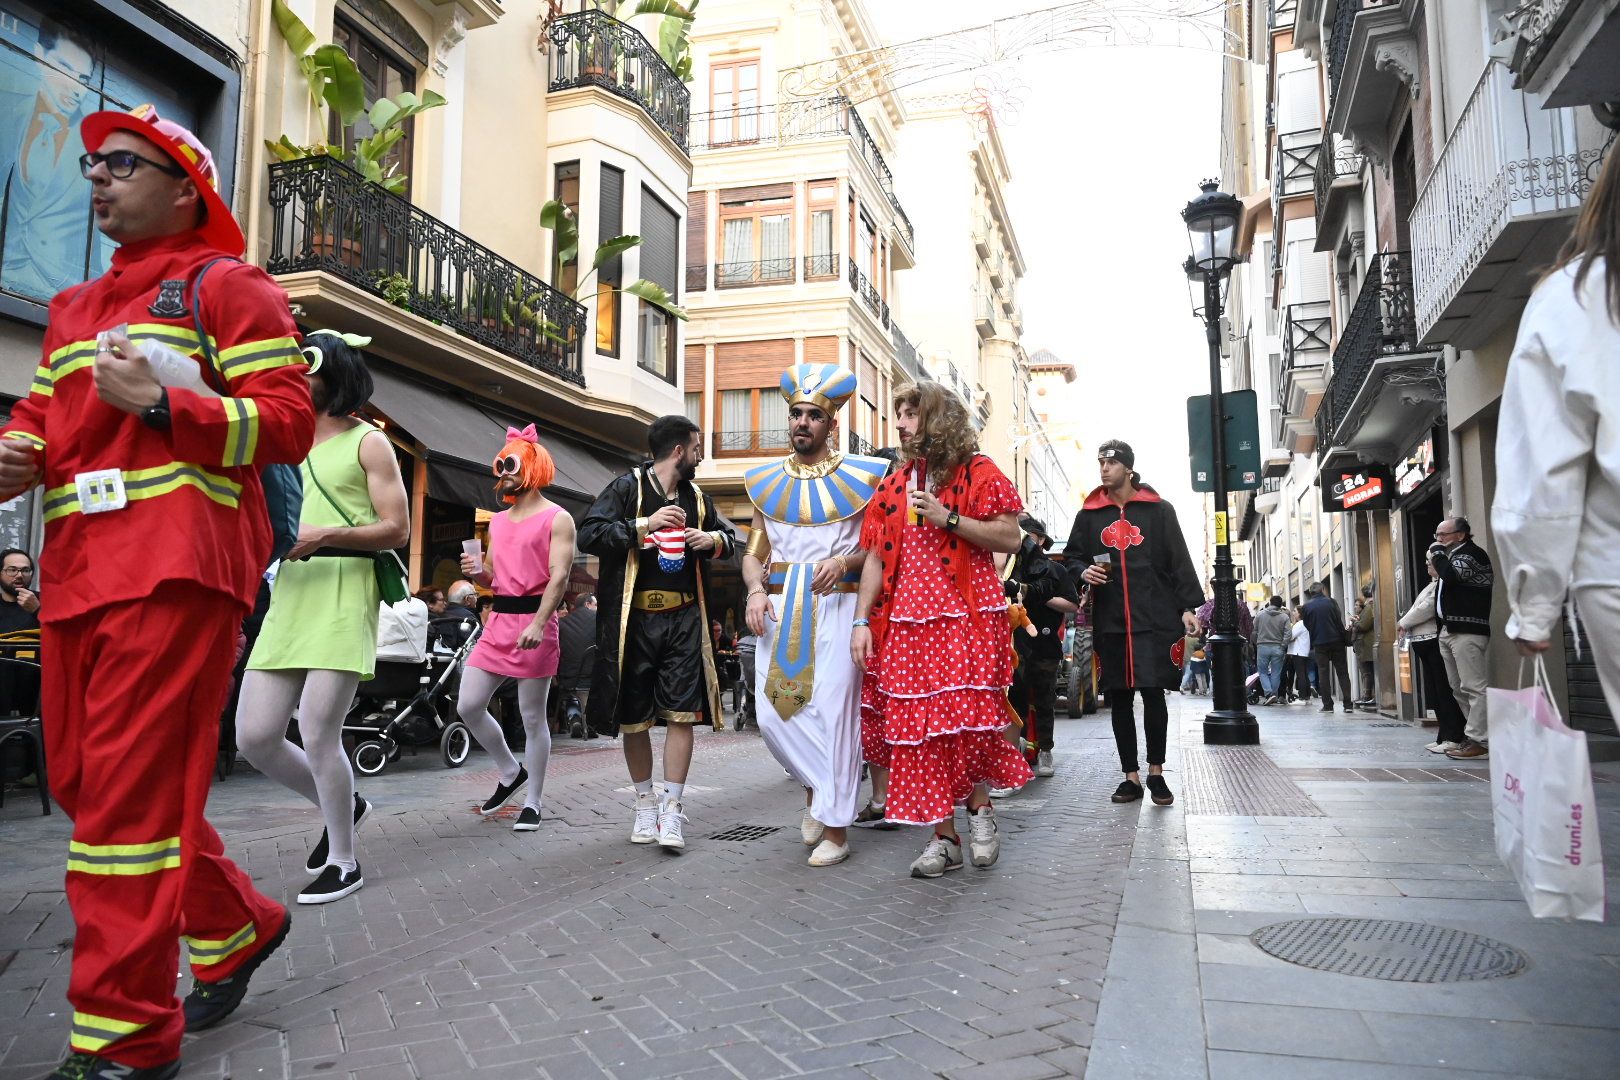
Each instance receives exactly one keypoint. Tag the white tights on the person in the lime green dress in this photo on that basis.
(320, 772)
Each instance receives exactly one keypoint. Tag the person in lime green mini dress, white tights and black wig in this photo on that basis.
(320, 639)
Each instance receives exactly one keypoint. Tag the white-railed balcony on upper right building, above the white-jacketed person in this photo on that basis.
(1504, 174)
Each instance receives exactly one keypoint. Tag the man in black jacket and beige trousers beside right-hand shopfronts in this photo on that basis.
(1464, 608)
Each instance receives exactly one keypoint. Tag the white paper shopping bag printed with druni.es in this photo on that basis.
(1541, 797)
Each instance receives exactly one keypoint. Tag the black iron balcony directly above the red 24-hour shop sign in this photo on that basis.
(1379, 351)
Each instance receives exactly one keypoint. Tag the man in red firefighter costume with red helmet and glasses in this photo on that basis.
(156, 535)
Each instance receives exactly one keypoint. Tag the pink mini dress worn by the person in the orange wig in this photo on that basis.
(522, 556)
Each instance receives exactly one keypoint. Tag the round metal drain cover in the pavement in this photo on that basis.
(1381, 948)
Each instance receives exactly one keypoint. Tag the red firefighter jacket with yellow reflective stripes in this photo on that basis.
(195, 508)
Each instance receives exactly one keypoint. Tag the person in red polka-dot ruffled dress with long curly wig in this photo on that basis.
(932, 631)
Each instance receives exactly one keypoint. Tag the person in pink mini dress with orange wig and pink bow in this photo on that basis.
(529, 563)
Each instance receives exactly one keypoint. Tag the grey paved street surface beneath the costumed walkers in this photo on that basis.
(1111, 942)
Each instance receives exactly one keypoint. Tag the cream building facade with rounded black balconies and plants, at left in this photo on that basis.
(474, 323)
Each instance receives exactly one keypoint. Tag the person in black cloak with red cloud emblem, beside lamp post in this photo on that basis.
(1128, 548)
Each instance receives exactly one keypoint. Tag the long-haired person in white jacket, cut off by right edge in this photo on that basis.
(1558, 504)
